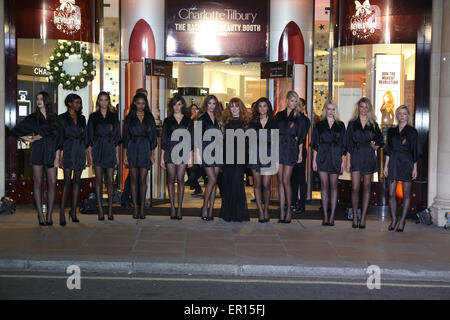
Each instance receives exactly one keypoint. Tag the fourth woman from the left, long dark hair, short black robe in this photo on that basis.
(139, 143)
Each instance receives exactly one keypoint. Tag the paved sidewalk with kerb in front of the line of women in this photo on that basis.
(193, 246)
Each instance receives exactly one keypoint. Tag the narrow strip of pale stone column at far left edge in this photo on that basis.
(2, 102)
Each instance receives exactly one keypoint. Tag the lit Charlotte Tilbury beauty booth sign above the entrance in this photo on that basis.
(226, 29)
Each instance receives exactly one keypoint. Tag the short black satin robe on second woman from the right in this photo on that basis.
(362, 156)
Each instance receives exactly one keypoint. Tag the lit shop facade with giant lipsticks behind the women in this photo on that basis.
(380, 49)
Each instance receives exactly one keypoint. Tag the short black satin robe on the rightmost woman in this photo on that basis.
(403, 151)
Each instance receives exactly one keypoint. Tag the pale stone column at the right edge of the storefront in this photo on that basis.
(441, 203)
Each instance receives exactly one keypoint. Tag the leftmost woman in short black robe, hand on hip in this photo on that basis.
(44, 125)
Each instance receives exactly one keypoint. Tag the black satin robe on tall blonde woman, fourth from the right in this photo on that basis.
(292, 134)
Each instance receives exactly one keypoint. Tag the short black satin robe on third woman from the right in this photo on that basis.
(330, 146)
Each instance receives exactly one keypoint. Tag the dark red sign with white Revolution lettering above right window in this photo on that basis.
(379, 21)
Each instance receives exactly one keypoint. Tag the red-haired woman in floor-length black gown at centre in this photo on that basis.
(234, 202)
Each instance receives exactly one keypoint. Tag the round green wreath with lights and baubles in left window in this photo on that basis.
(67, 81)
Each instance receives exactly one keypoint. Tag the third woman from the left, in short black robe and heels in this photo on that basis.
(103, 151)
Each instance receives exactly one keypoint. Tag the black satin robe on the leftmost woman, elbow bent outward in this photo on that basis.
(43, 151)
